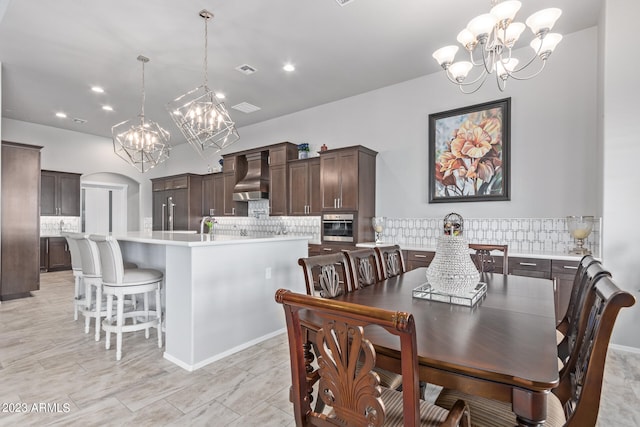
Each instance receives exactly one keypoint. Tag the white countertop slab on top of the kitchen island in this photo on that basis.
(191, 238)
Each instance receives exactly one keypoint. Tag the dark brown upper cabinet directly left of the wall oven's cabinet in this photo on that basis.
(304, 187)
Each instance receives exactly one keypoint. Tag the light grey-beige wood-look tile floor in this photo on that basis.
(51, 373)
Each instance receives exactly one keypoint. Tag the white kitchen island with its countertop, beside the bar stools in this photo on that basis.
(218, 290)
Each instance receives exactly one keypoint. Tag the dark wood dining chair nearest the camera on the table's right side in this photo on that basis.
(576, 400)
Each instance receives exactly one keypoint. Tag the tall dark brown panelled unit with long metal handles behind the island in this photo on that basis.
(177, 202)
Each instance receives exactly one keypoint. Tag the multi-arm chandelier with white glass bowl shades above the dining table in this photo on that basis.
(489, 39)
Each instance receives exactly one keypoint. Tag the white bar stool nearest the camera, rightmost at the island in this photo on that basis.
(120, 282)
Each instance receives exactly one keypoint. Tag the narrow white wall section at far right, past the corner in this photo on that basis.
(621, 150)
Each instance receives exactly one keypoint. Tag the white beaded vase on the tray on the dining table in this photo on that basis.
(452, 270)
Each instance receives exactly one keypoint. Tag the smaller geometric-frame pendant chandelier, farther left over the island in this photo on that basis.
(143, 144)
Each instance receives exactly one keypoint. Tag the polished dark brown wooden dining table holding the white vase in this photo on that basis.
(501, 347)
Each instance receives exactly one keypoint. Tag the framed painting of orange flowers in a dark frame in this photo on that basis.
(469, 153)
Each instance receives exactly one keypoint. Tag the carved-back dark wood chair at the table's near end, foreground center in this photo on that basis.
(354, 396)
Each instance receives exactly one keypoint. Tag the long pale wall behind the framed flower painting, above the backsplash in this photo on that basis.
(553, 138)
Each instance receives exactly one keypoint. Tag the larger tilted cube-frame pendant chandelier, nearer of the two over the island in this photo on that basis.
(201, 116)
